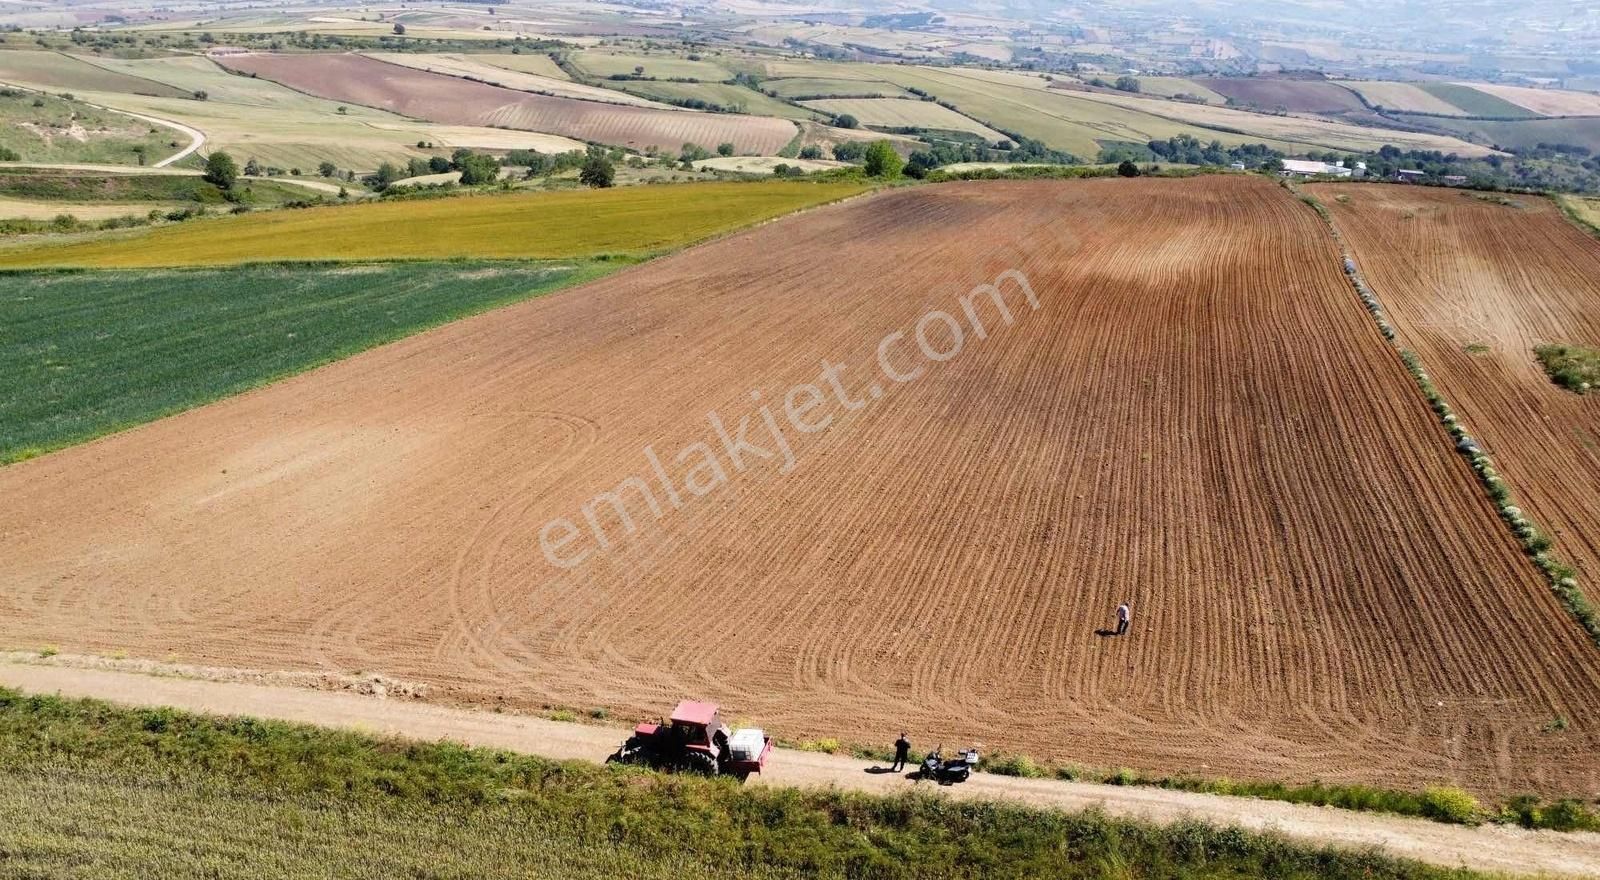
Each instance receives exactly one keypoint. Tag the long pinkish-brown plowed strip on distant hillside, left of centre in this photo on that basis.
(452, 100)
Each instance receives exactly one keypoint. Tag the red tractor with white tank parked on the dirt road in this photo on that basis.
(697, 742)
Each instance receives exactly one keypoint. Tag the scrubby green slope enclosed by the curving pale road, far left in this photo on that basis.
(54, 129)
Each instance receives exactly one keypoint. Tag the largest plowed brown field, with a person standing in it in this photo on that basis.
(1199, 418)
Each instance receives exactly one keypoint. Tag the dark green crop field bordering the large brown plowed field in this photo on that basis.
(86, 354)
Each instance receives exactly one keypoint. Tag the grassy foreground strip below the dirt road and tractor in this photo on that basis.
(175, 794)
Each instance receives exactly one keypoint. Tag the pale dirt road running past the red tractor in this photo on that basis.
(1484, 849)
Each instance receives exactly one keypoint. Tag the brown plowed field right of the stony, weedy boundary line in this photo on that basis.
(1473, 286)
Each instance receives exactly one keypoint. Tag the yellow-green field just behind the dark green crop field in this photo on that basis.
(537, 226)
